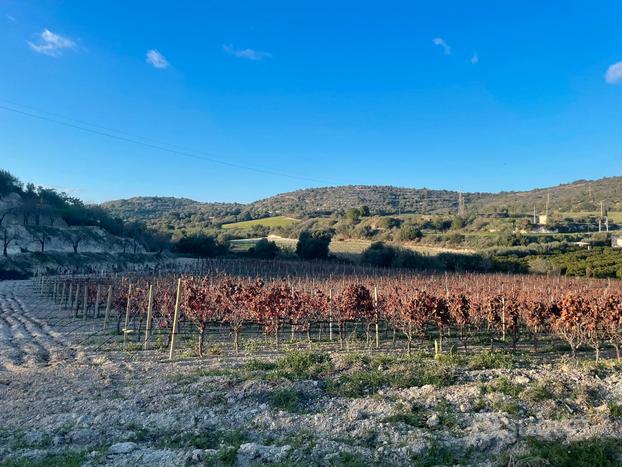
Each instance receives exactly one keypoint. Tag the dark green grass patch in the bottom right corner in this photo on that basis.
(595, 452)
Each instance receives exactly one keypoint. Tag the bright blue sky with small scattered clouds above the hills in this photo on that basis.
(477, 95)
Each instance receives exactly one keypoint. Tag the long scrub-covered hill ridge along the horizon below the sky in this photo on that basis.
(578, 196)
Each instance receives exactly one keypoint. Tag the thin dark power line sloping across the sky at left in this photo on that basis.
(134, 139)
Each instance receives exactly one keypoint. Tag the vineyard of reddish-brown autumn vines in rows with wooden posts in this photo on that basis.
(342, 309)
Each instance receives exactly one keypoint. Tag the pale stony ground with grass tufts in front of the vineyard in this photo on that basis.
(67, 400)
